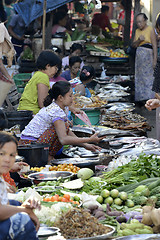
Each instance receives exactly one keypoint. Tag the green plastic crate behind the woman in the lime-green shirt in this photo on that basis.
(21, 80)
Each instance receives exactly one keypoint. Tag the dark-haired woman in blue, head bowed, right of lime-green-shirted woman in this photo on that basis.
(74, 67)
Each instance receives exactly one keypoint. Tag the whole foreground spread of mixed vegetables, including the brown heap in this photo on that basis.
(126, 198)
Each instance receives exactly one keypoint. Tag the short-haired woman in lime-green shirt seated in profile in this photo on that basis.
(38, 86)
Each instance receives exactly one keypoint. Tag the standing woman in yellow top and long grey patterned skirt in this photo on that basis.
(146, 58)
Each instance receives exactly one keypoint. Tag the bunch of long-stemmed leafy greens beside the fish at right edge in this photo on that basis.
(145, 166)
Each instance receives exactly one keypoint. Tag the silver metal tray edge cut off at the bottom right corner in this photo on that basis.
(140, 237)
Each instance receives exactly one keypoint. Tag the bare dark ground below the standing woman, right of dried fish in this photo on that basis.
(151, 118)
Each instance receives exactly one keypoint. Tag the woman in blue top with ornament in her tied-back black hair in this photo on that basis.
(86, 76)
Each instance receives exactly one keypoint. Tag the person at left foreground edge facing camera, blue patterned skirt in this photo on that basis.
(16, 222)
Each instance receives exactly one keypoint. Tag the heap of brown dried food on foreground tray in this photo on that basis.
(79, 223)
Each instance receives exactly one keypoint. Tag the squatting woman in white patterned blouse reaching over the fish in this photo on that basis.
(50, 124)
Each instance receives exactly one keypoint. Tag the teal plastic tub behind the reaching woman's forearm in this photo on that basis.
(93, 116)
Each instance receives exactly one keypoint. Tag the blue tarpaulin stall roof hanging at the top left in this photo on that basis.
(32, 9)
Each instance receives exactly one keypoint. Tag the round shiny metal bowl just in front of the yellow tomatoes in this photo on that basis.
(49, 176)
